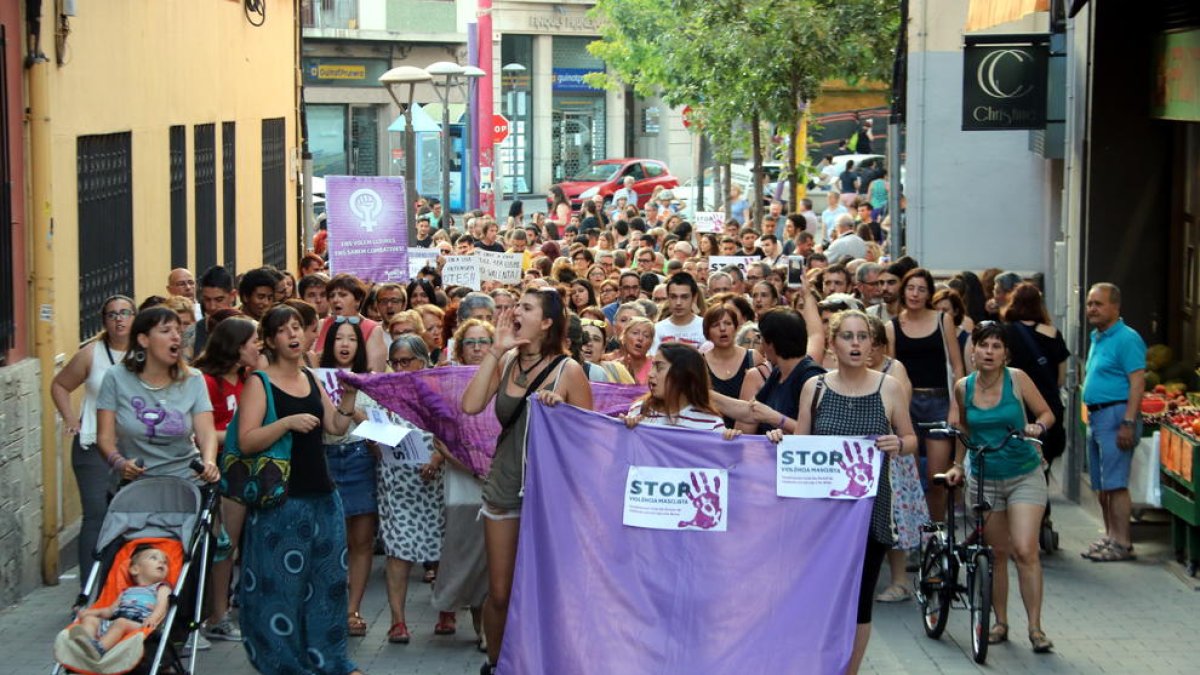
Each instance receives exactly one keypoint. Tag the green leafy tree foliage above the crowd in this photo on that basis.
(731, 58)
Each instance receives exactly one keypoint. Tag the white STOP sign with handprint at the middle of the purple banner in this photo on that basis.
(676, 499)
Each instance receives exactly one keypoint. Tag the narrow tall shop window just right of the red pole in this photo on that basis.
(517, 151)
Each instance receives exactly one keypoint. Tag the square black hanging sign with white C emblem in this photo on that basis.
(1005, 83)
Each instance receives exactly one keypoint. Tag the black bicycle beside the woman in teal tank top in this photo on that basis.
(943, 555)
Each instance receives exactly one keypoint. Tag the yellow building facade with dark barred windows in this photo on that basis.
(160, 135)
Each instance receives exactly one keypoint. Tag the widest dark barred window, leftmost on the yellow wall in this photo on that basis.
(105, 194)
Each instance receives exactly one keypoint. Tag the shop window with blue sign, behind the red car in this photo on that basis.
(579, 112)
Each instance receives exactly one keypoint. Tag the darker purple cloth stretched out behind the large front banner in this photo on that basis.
(430, 401)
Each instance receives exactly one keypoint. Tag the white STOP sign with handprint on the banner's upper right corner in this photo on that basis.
(827, 468)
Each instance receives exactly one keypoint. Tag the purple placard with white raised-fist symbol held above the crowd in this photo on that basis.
(368, 228)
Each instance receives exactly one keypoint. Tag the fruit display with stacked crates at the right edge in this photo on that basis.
(1180, 452)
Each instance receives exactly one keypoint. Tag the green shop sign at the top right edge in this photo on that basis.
(1178, 76)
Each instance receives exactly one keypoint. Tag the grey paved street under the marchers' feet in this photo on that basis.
(1117, 618)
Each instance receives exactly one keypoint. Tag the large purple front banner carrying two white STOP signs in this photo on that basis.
(776, 593)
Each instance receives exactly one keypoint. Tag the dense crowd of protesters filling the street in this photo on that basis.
(609, 292)
